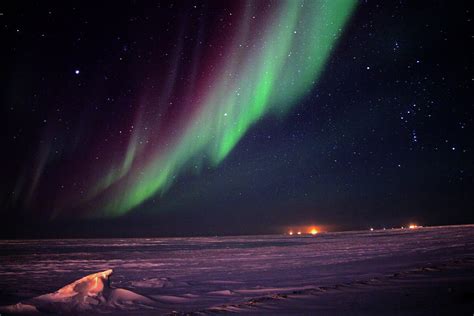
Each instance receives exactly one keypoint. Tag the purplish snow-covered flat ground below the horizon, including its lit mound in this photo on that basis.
(412, 271)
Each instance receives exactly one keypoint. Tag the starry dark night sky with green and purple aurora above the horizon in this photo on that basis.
(157, 118)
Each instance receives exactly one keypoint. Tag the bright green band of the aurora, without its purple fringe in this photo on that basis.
(260, 76)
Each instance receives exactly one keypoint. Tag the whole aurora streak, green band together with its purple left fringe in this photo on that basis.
(265, 68)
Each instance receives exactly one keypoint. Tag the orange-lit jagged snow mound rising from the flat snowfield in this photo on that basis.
(90, 293)
